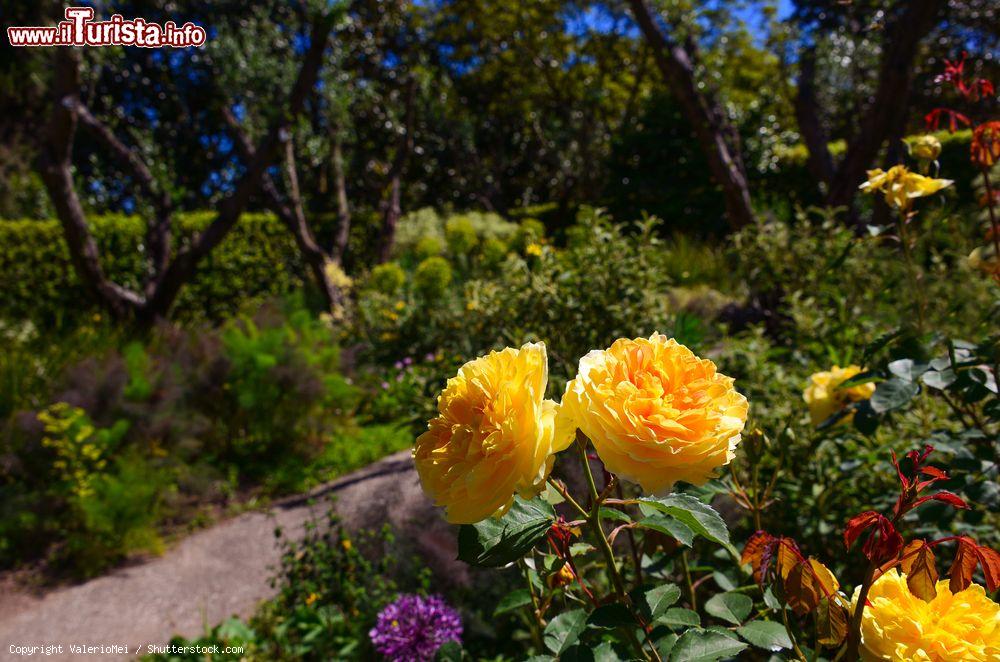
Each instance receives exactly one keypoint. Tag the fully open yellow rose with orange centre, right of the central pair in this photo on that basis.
(655, 412)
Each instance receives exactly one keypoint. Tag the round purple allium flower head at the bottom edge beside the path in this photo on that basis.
(413, 628)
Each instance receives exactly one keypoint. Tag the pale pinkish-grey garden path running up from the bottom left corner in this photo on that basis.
(212, 574)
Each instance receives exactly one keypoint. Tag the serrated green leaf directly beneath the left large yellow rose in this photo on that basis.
(494, 542)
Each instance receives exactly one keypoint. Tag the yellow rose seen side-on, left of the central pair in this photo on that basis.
(494, 436)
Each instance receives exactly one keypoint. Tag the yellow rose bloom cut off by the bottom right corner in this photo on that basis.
(898, 625)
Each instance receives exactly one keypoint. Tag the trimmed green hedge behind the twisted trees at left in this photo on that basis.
(256, 261)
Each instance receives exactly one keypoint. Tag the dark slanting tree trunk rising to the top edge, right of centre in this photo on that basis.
(706, 117)
